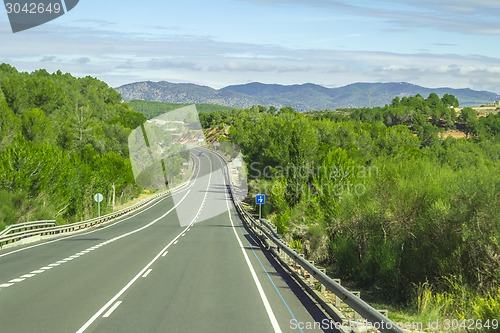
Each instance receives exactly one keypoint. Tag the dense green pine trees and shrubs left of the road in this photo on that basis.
(62, 139)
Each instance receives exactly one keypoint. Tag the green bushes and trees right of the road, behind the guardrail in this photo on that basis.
(382, 200)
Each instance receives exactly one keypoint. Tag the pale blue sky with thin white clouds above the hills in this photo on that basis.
(453, 43)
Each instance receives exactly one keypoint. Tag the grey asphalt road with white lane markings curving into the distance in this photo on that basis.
(182, 264)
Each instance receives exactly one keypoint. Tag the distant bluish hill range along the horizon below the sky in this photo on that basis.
(302, 97)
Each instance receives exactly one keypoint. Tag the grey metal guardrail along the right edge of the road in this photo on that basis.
(271, 238)
